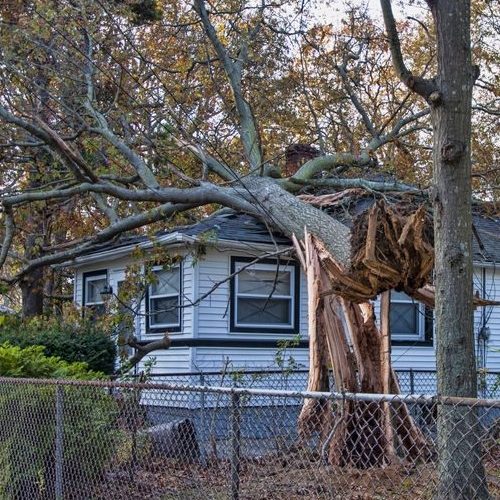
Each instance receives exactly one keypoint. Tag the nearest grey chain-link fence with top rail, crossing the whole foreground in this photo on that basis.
(110, 440)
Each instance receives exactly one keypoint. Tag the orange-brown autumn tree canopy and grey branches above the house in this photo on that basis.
(126, 116)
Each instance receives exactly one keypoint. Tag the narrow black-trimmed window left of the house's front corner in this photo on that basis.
(163, 300)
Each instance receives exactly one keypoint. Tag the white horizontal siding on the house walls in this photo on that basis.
(210, 320)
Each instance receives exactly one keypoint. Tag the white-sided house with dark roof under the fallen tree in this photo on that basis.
(244, 317)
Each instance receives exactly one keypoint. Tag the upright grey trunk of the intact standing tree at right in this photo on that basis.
(461, 474)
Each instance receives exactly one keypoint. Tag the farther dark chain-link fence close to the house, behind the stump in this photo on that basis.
(411, 381)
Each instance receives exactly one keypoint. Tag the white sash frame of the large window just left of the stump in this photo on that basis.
(290, 296)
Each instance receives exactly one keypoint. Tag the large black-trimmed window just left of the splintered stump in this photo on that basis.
(264, 297)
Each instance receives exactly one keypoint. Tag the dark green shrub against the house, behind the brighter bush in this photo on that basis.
(73, 340)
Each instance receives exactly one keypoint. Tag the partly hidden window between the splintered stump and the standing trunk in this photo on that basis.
(410, 321)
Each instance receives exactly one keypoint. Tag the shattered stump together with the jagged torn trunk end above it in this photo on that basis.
(391, 248)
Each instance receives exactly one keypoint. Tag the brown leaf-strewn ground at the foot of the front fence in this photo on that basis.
(287, 477)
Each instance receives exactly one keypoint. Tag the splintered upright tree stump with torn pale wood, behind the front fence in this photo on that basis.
(345, 335)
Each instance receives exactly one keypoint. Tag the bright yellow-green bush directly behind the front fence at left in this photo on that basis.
(28, 413)
